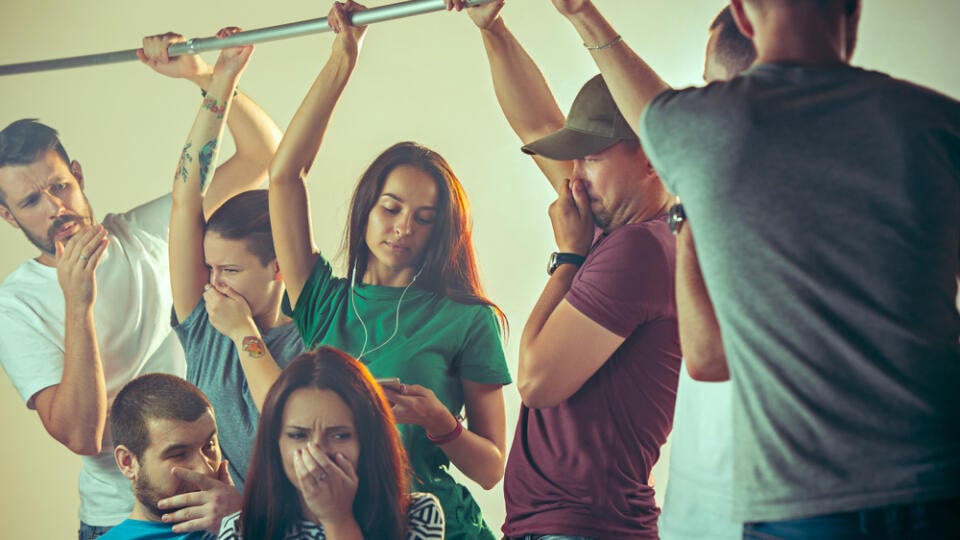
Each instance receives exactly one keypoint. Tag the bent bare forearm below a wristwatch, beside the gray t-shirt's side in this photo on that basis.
(700, 338)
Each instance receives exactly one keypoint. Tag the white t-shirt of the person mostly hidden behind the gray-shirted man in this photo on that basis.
(699, 498)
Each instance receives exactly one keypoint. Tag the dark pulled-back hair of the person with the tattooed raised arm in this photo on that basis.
(246, 216)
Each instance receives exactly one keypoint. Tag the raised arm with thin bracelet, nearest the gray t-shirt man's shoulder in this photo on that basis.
(632, 82)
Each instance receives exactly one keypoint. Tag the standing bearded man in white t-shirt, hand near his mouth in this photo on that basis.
(92, 311)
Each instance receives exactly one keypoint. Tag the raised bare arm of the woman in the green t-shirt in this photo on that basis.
(289, 205)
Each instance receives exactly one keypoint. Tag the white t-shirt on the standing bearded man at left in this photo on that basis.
(132, 318)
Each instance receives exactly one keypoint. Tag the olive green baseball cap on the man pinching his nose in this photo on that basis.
(594, 124)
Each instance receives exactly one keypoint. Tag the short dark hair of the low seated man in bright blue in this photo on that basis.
(148, 397)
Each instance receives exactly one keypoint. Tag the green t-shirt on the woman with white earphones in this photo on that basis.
(439, 342)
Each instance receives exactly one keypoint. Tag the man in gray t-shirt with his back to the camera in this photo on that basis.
(825, 201)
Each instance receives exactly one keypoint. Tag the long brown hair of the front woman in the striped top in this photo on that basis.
(271, 503)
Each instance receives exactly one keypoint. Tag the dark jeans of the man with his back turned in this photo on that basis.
(933, 520)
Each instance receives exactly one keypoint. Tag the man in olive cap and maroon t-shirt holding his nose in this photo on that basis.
(600, 354)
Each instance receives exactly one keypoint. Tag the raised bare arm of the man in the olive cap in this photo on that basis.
(522, 91)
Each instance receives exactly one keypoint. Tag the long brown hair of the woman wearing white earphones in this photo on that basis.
(449, 266)
